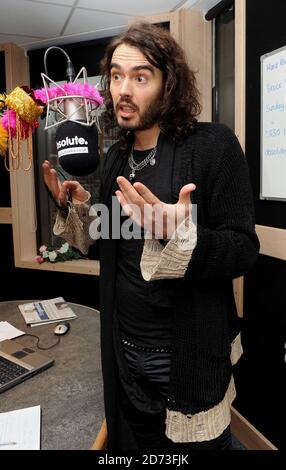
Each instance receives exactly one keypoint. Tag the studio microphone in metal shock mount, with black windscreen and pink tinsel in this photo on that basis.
(76, 136)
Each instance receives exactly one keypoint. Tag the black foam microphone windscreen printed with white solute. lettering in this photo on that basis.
(77, 147)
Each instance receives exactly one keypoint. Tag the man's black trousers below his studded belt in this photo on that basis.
(151, 371)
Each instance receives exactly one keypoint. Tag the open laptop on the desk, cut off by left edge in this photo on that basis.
(18, 363)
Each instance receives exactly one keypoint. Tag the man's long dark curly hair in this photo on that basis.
(180, 104)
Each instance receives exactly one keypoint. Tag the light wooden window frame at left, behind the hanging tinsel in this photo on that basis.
(22, 214)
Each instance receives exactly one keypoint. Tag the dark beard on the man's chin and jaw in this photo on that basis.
(147, 118)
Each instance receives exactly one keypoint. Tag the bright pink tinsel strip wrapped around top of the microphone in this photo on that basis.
(79, 89)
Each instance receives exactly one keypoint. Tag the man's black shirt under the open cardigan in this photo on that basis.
(144, 308)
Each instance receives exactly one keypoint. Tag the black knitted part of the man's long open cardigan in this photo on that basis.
(205, 317)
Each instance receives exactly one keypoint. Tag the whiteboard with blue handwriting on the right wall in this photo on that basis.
(273, 125)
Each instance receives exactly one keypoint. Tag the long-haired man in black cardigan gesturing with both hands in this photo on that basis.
(169, 326)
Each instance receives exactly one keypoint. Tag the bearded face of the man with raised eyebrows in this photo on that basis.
(136, 89)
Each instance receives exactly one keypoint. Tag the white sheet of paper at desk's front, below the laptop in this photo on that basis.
(21, 429)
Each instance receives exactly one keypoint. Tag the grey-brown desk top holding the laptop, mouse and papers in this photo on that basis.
(70, 392)
